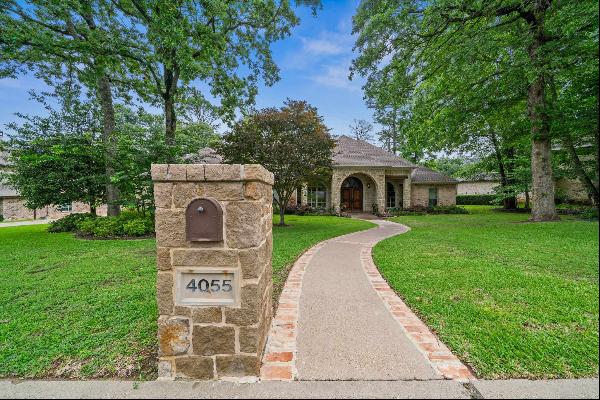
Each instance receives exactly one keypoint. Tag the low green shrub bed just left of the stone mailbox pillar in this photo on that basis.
(128, 223)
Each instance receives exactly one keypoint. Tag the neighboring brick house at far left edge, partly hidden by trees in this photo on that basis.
(12, 205)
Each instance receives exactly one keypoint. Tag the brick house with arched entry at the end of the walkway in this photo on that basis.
(366, 178)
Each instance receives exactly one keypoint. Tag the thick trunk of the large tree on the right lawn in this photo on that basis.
(541, 153)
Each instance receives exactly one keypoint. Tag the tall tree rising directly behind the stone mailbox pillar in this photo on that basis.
(224, 45)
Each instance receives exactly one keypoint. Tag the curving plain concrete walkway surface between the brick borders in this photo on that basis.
(345, 332)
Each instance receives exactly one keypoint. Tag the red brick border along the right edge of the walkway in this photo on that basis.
(438, 354)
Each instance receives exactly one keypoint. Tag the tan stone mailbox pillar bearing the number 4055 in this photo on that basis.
(214, 281)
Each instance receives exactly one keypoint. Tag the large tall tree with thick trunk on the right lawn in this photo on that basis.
(476, 46)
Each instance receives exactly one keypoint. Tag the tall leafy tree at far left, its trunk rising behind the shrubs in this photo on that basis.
(58, 37)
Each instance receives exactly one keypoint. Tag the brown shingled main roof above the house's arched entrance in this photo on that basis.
(350, 152)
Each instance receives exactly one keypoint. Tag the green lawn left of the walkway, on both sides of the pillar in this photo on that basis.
(81, 309)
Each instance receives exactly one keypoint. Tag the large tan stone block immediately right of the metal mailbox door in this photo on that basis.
(243, 224)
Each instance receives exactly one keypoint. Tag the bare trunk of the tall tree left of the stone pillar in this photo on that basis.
(110, 144)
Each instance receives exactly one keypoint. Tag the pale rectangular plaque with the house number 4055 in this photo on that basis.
(207, 287)
